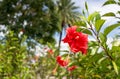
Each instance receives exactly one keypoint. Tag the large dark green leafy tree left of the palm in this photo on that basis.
(39, 19)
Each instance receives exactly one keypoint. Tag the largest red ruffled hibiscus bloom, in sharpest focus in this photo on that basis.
(76, 40)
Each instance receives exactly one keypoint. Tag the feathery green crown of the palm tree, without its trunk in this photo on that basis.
(67, 11)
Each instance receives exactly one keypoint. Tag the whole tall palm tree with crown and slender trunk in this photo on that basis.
(68, 15)
